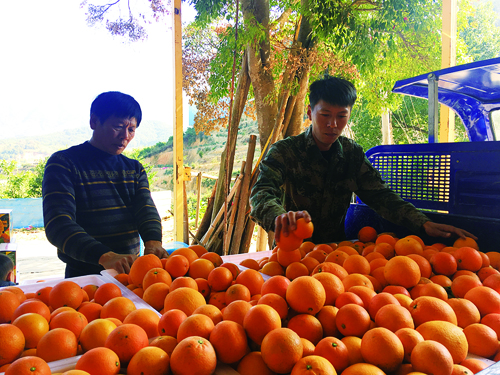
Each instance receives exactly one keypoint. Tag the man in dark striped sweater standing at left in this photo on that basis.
(96, 202)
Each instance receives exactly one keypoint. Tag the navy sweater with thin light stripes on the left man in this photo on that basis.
(94, 202)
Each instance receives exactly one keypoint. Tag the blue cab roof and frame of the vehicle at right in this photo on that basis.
(471, 90)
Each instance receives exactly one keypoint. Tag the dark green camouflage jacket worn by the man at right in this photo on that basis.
(295, 176)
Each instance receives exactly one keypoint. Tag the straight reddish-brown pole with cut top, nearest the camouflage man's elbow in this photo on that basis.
(243, 203)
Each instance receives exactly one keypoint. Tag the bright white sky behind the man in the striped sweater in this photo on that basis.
(53, 65)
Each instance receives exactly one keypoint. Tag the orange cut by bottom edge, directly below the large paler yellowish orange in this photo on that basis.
(431, 357)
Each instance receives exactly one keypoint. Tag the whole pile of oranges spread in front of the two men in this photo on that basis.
(380, 305)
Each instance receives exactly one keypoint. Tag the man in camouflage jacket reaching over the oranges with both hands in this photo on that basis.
(313, 175)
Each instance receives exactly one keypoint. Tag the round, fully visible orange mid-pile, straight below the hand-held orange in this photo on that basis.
(306, 294)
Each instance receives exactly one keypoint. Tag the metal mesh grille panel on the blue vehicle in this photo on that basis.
(424, 177)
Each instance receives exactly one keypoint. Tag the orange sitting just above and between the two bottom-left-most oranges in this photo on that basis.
(58, 343)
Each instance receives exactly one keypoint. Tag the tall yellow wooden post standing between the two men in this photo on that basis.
(178, 126)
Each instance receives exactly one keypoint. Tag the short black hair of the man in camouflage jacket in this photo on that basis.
(333, 90)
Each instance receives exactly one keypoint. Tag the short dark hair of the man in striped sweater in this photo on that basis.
(115, 103)
